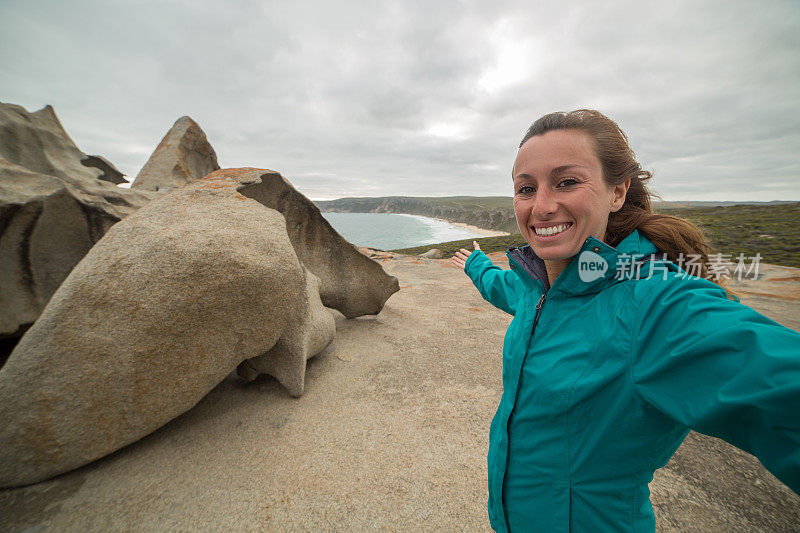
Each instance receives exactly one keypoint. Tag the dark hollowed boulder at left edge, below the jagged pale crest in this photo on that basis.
(47, 224)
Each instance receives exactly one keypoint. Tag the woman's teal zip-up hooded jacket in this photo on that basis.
(604, 378)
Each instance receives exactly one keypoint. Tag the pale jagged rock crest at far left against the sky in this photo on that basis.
(38, 142)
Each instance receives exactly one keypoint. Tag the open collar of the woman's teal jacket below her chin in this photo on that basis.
(594, 268)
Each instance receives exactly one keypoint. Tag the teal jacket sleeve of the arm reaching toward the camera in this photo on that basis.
(720, 368)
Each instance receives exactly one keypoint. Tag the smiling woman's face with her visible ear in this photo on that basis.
(560, 197)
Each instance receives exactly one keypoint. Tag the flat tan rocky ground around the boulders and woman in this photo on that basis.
(391, 433)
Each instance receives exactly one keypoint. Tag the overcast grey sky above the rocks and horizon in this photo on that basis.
(427, 98)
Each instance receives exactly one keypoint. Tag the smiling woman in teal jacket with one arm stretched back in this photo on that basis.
(605, 374)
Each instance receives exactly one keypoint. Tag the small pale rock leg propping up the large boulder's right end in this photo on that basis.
(311, 329)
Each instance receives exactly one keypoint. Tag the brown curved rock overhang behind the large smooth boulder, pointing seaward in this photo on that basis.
(349, 281)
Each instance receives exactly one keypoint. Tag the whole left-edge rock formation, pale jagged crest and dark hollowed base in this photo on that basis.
(53, 208)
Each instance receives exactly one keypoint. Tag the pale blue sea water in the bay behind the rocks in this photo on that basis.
(389, 231)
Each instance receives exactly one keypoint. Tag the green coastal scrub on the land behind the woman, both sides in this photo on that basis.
(773, 230)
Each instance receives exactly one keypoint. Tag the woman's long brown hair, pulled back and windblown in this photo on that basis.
(671, 235)
